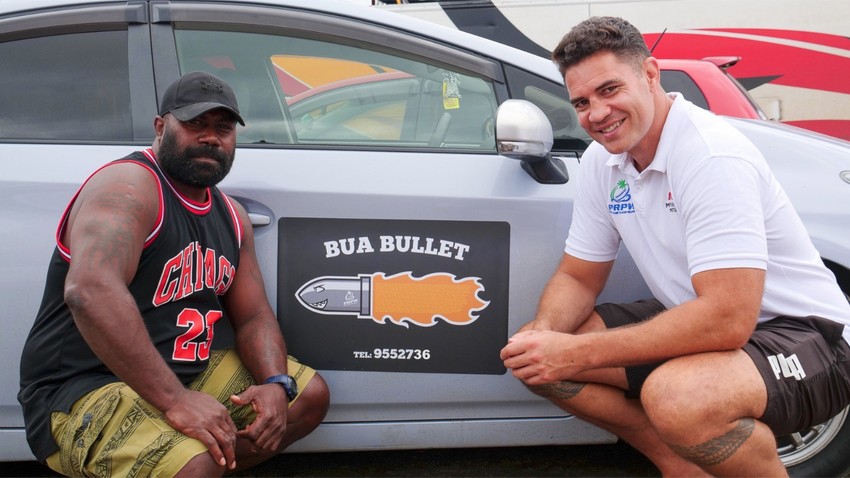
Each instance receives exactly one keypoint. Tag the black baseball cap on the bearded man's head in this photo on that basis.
(195, 93)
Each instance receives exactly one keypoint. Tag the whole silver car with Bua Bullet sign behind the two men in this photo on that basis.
(399, 248)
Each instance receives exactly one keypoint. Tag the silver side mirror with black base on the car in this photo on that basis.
(524, 133)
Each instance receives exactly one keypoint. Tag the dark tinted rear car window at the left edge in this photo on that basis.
(66, 87)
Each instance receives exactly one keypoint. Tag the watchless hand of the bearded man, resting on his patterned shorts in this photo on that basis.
(200, 416)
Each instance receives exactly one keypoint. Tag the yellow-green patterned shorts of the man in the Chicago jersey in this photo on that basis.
(112, 432)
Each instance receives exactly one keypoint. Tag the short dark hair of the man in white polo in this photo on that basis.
(598, 34)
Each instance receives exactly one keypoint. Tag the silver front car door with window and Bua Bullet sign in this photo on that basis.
(399, 250)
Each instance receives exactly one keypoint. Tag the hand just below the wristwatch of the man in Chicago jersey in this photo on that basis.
(271, 405)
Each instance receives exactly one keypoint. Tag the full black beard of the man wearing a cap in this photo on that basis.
(178, 165)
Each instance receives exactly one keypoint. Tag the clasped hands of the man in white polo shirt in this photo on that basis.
(541, 356)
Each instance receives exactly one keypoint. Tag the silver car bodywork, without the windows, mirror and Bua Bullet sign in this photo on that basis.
(370, 410)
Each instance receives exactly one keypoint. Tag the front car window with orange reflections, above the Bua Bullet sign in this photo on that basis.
(314, 92)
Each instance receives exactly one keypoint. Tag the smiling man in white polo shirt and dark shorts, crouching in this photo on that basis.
(745, 336)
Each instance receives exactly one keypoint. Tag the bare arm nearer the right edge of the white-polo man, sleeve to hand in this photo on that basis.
(722, 317)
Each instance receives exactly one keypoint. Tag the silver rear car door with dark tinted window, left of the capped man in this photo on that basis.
(75, 92)
